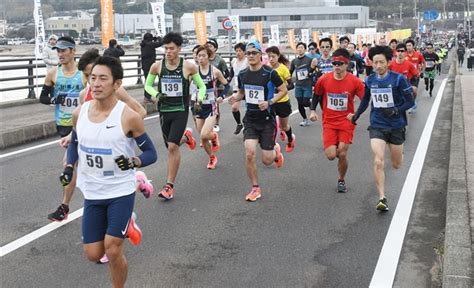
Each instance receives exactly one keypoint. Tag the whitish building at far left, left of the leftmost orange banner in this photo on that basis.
(75, 20)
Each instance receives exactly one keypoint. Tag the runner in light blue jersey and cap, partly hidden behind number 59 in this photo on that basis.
(62, 85)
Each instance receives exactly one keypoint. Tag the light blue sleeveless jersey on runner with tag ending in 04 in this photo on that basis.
(70, 86)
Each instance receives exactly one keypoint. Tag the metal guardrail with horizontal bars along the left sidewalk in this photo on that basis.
(34, 64)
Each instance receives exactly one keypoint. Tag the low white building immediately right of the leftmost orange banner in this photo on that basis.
(138, 23)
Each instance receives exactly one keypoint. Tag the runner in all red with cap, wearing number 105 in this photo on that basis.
(336, 92)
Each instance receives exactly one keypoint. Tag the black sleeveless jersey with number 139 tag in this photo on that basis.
(175, 86)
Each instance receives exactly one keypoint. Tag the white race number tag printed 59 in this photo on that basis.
(97, 162)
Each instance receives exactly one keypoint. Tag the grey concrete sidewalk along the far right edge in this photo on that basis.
(458, 246)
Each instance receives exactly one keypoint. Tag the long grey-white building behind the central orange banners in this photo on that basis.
(316, 15)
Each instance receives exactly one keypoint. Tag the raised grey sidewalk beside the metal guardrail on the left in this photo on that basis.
(28, 120)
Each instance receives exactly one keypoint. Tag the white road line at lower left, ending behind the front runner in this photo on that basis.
(12, 246)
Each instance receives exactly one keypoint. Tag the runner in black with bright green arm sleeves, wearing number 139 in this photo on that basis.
(174, 74)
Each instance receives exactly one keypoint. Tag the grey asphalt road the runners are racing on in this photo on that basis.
(301, 233)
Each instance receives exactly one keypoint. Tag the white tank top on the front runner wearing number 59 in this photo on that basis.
(98, 176)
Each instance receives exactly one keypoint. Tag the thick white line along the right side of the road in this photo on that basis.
(386, 268)
